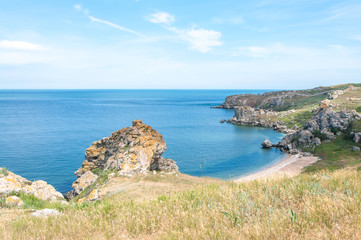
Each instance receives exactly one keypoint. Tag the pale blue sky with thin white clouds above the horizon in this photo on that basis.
(198, 44)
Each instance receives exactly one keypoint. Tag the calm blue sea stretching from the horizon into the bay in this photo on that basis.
(44, 133)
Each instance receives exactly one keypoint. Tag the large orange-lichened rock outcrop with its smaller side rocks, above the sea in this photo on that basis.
(131, 150)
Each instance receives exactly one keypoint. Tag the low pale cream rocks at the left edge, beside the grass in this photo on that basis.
(14, 183)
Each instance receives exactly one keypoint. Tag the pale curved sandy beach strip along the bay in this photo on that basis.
(290, 166)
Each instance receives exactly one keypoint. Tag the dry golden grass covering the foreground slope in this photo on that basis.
(322, 206)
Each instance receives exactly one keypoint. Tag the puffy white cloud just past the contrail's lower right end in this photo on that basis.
(203, 40)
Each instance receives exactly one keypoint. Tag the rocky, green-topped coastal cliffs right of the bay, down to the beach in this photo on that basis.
(317, 125)
